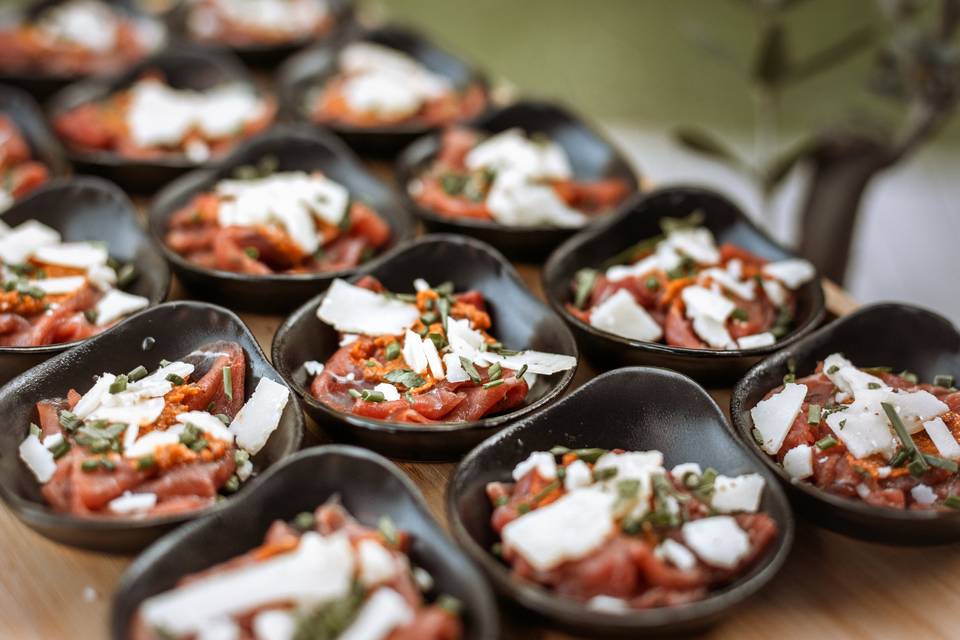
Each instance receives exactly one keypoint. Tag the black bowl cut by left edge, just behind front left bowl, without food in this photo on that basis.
(87, 209)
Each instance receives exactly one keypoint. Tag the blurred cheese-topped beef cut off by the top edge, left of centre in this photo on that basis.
(251, 23)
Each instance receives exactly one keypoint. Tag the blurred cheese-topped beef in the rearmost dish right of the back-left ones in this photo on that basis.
(378, 86)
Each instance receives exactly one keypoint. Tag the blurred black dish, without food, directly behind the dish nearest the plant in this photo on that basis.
(592, 157)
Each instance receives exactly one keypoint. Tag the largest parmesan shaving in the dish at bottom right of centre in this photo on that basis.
(570, 528)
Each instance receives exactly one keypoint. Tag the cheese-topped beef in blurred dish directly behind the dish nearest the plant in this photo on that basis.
(512, 179)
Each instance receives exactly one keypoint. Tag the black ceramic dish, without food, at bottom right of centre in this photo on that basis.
(635, 409)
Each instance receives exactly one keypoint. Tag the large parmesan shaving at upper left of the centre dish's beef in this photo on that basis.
(353, 309)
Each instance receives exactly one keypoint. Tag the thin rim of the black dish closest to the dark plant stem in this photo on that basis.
(573, 244)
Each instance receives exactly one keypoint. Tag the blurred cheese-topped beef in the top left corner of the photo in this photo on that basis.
(76, 38)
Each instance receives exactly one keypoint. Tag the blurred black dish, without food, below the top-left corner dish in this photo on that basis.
(184, 67)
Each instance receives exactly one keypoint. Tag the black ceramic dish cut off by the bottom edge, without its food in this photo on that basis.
(367, 485)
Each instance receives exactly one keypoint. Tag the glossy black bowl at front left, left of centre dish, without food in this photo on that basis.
(177, 328)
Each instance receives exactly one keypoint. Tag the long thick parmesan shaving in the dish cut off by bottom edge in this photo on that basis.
(320, 569)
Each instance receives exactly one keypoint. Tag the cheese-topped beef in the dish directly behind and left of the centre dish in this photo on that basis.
(265, 222)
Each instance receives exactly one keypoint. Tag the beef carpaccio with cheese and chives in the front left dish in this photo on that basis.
(142, 443)
